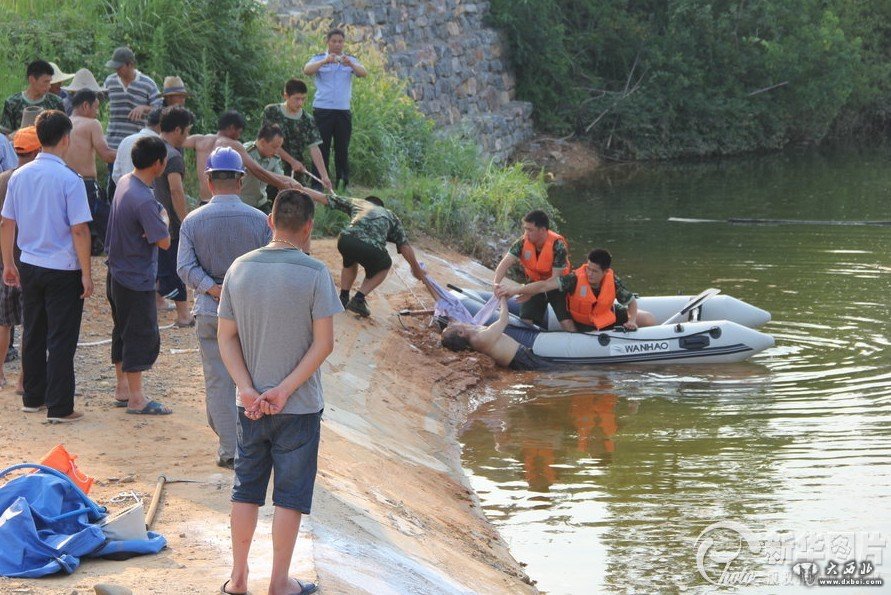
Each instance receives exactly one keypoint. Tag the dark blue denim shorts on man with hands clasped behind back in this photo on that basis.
(289, 444)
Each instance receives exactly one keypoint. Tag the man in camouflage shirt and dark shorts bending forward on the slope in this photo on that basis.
(364, 241)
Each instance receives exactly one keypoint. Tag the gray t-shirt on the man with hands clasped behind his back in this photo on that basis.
(274, 295)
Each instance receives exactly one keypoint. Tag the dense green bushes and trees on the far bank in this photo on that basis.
(698, 77)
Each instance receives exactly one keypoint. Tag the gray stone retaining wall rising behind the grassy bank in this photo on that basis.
(454, 66)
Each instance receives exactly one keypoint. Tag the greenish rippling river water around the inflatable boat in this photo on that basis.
(611, 479)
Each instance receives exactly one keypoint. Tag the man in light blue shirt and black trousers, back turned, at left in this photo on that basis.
(47, 202)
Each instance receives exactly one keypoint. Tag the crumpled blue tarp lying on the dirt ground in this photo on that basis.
(47, 525)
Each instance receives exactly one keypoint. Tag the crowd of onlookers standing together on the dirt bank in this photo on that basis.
(263, 333)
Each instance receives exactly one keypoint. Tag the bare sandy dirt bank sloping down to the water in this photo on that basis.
(392, 512)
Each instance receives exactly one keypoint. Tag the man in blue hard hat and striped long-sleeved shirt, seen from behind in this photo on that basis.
(210, 240)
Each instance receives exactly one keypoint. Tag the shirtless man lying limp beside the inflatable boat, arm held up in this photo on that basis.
(491, 340)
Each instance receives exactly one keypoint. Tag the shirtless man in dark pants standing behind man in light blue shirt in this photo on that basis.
(87, 139)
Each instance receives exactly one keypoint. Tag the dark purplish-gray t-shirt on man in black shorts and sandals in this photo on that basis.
(134, 225)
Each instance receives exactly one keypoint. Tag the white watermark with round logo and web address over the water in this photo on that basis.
(730, 554)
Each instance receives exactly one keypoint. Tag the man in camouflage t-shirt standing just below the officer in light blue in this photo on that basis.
(299, 130)
